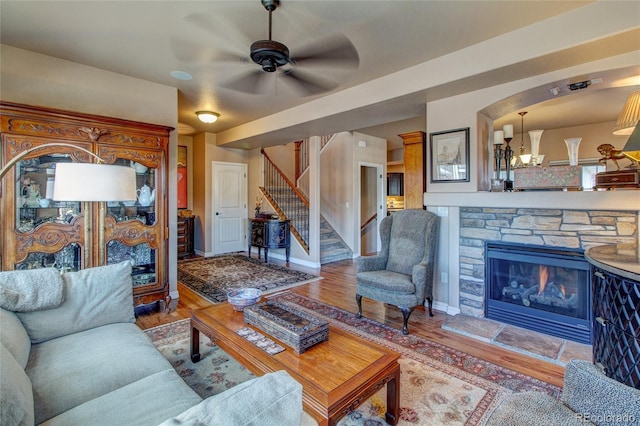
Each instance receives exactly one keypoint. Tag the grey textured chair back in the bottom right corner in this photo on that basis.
(597, 398)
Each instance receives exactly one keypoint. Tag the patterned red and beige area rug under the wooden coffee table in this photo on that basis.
(439, 385)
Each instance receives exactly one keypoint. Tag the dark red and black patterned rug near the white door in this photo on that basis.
(214, 277)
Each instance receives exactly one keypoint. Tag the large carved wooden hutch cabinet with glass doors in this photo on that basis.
(38, 232)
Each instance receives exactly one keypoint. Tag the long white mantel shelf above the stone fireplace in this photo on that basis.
(575, 200)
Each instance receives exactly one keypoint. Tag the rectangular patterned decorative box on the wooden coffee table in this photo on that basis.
(295, 328)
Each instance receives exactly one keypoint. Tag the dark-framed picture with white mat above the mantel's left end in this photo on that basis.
(450, 155)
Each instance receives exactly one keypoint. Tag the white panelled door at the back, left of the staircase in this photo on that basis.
(229, 207)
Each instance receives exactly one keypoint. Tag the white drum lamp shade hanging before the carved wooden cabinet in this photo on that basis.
(94, 182)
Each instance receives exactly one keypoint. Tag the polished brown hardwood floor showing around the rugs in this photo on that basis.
(338, 289)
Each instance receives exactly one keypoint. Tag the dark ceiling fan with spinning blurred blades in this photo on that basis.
(307, 71)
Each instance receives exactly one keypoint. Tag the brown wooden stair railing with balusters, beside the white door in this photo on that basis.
(288, 201)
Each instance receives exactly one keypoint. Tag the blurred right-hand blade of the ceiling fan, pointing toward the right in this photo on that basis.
(334, 50)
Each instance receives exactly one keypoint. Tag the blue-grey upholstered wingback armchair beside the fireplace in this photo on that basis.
(401, 273)
